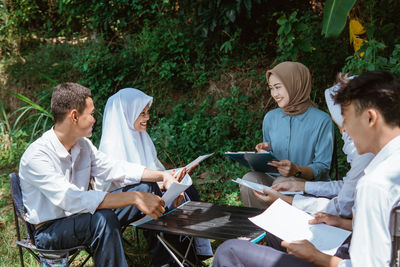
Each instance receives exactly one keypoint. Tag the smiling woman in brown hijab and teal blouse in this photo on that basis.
(297, 133)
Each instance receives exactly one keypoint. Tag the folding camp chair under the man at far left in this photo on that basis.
(46, 257)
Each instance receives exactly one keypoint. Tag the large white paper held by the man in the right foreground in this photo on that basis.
(291, 224)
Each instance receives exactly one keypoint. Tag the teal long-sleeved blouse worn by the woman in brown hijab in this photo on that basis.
(305, 139)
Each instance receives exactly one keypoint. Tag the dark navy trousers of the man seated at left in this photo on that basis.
(100, 231)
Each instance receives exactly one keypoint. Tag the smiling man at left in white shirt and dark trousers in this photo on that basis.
(55, 171)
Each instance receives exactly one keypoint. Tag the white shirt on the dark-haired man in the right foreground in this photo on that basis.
(376, 194)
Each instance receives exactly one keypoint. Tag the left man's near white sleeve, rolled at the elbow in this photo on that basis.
(39, 172)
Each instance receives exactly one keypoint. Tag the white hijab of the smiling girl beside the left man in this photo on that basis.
(119, 139)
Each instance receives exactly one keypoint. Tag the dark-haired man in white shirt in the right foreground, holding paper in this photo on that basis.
(371, 118)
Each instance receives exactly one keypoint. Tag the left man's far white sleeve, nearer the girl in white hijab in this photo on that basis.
(108, 170)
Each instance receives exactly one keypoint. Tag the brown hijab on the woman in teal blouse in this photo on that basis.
(297, 80)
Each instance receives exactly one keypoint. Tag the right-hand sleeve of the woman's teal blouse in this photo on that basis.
(323, 151)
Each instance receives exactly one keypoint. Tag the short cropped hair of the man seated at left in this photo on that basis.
(68, 96)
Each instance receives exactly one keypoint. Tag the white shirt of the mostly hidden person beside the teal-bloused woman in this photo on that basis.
(335, 197)
